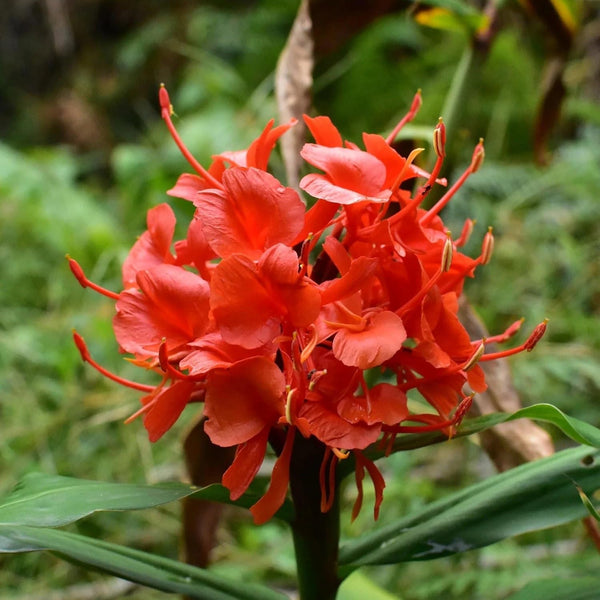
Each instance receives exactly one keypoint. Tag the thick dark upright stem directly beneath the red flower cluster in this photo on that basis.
(316, 534)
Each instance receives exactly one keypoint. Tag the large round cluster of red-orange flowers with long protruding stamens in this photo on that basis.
(303, 322)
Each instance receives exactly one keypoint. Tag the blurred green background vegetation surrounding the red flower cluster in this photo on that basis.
(84, 155)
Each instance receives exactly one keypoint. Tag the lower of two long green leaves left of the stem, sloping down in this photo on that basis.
(134, 565)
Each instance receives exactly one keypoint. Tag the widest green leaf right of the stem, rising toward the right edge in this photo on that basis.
(533, 496)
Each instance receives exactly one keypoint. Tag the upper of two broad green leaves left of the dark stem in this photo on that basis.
(51, 500)
